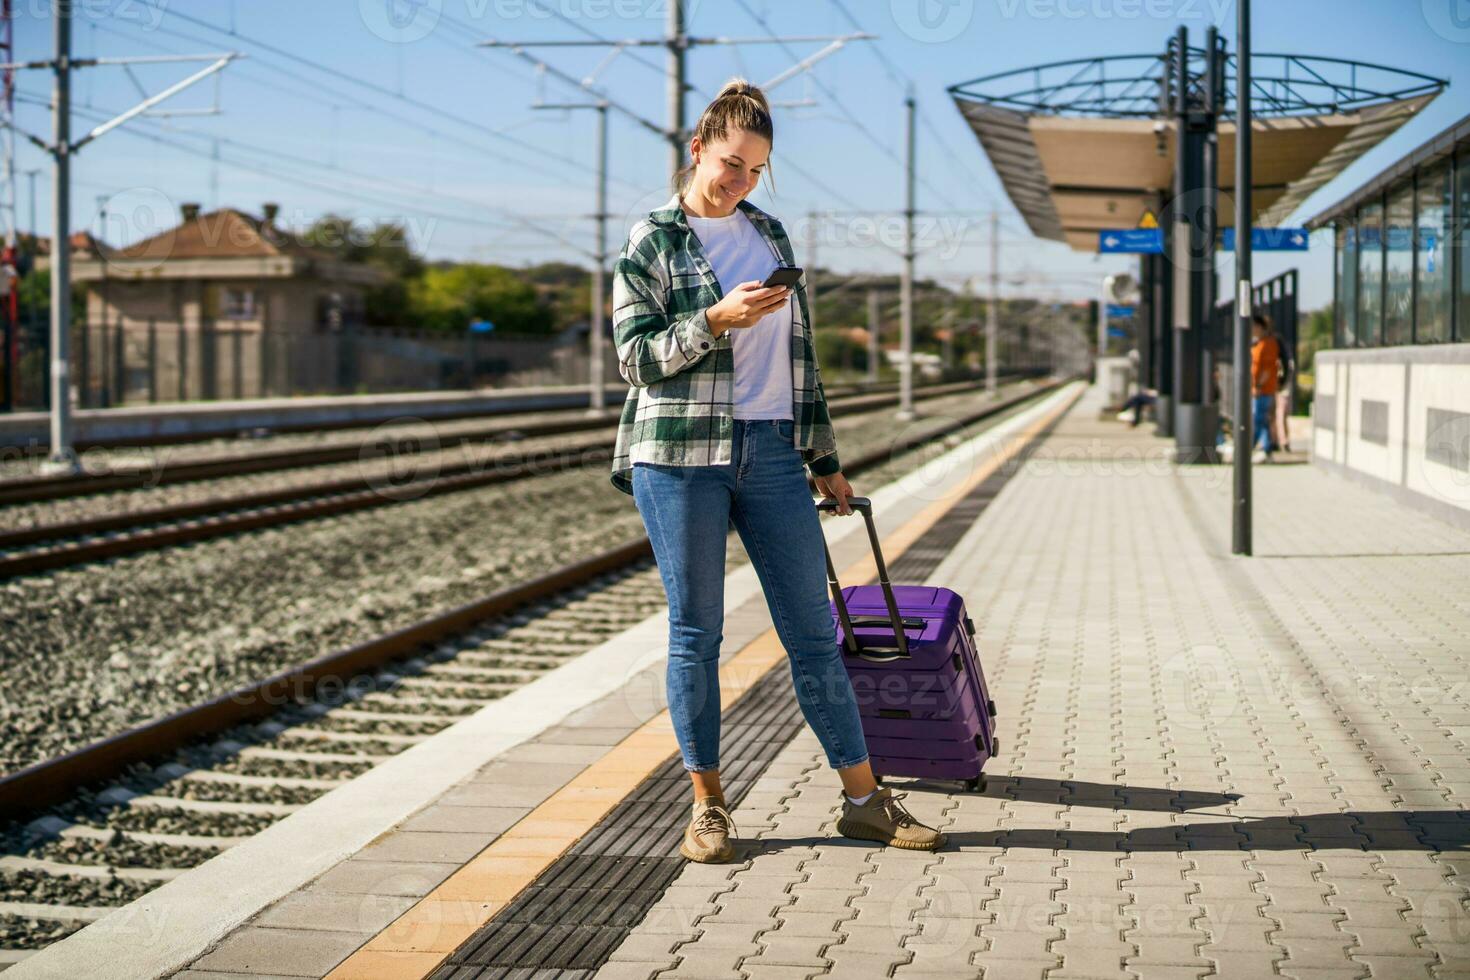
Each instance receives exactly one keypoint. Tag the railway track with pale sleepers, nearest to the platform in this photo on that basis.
(132, 812)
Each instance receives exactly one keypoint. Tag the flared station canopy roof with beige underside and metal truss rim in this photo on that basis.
(1083, 148)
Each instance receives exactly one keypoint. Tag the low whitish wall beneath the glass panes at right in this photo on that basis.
(1399, 419)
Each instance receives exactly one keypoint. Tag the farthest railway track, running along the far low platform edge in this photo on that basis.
(42, 489)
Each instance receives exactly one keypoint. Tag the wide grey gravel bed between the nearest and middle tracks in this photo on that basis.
(95, 650)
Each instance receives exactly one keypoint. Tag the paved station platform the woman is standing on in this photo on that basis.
(1209, 766)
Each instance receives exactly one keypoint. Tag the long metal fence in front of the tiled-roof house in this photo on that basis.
(165, 362)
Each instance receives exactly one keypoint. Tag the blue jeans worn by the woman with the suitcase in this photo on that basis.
(689, 512)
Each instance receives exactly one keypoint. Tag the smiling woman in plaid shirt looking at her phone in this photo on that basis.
(725, 406)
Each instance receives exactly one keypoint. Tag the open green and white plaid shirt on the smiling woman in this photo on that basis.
(681, 403)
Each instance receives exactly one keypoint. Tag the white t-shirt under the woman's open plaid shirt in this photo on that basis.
(737, 253)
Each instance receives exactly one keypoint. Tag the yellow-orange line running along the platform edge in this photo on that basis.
(423, 938)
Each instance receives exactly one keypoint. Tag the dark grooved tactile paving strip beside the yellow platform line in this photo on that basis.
(567, 923)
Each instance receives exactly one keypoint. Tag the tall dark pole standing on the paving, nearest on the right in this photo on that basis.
(1241, 462)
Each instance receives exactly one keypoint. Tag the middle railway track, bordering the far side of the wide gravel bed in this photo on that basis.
(67, 544)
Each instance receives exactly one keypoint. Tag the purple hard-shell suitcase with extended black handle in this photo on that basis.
(921, 691)
